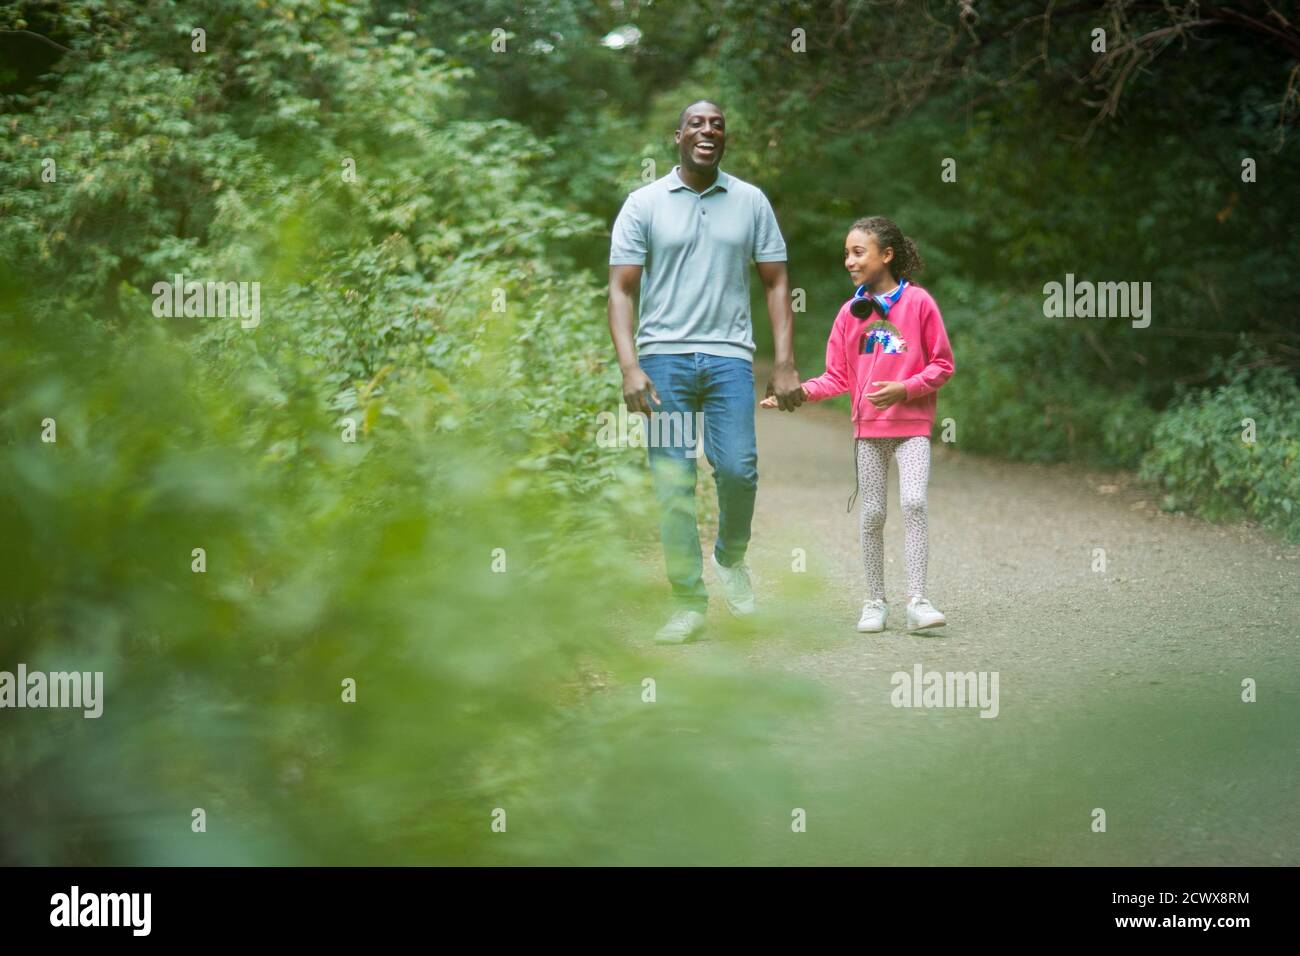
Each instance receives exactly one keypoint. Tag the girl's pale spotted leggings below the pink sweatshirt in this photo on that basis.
(913, 457)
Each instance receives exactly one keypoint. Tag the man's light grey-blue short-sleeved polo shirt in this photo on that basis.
(696, 249)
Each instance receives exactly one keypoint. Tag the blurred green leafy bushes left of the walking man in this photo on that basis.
(430, 304)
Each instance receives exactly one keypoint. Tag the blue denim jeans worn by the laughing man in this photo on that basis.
(723, 390)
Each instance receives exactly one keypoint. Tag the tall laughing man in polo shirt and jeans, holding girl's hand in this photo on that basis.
(687, 241)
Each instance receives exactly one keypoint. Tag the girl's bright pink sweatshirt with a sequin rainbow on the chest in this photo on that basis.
(909, 347)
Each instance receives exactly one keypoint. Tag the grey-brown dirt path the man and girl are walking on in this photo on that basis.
(1119, 689)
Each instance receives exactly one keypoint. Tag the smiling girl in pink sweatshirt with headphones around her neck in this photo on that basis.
(890, 351)
